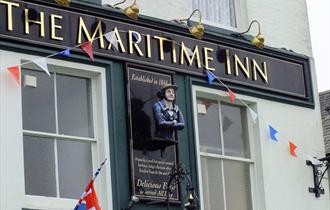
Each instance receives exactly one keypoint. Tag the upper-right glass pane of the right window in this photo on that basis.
(234, 131)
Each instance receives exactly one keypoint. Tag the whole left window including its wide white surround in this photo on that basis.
(56, 134)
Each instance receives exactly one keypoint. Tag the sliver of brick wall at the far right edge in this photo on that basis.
(325, 102)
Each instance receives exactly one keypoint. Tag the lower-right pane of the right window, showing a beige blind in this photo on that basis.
(237, 179)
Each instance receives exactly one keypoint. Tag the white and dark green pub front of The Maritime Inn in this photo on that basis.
(93, 85)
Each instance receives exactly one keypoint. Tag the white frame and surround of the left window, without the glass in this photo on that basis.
(12, 188)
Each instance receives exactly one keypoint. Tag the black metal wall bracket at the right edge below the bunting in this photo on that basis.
(318, 173)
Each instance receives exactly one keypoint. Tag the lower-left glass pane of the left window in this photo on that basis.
(39, 166)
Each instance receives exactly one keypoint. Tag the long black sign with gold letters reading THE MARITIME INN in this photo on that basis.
(264, 73)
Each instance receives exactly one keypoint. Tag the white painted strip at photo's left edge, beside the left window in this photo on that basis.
(11, 150)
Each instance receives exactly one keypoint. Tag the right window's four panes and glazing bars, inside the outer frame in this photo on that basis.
(225, 163)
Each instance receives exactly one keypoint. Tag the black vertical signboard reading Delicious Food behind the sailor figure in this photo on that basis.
(152, 159)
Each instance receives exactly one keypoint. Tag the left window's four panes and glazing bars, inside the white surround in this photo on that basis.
(58, 134)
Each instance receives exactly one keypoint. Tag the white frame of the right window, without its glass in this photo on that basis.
(256, 180)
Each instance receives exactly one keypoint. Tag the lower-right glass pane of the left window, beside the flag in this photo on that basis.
(74, 167)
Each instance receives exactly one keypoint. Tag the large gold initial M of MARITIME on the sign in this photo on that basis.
(83, 28)
